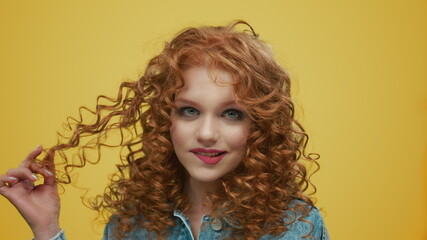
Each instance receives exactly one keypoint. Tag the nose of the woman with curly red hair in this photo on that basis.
(208, 132)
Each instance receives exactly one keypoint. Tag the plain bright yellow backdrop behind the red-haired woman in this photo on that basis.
(360, 82)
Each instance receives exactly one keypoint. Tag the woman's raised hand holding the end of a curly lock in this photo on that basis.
(39, 205)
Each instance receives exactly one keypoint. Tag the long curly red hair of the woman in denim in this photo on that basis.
(149, 184)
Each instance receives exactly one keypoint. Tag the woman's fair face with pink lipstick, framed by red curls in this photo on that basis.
(209, 130)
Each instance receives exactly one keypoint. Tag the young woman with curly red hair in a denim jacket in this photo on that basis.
(214, 150)
